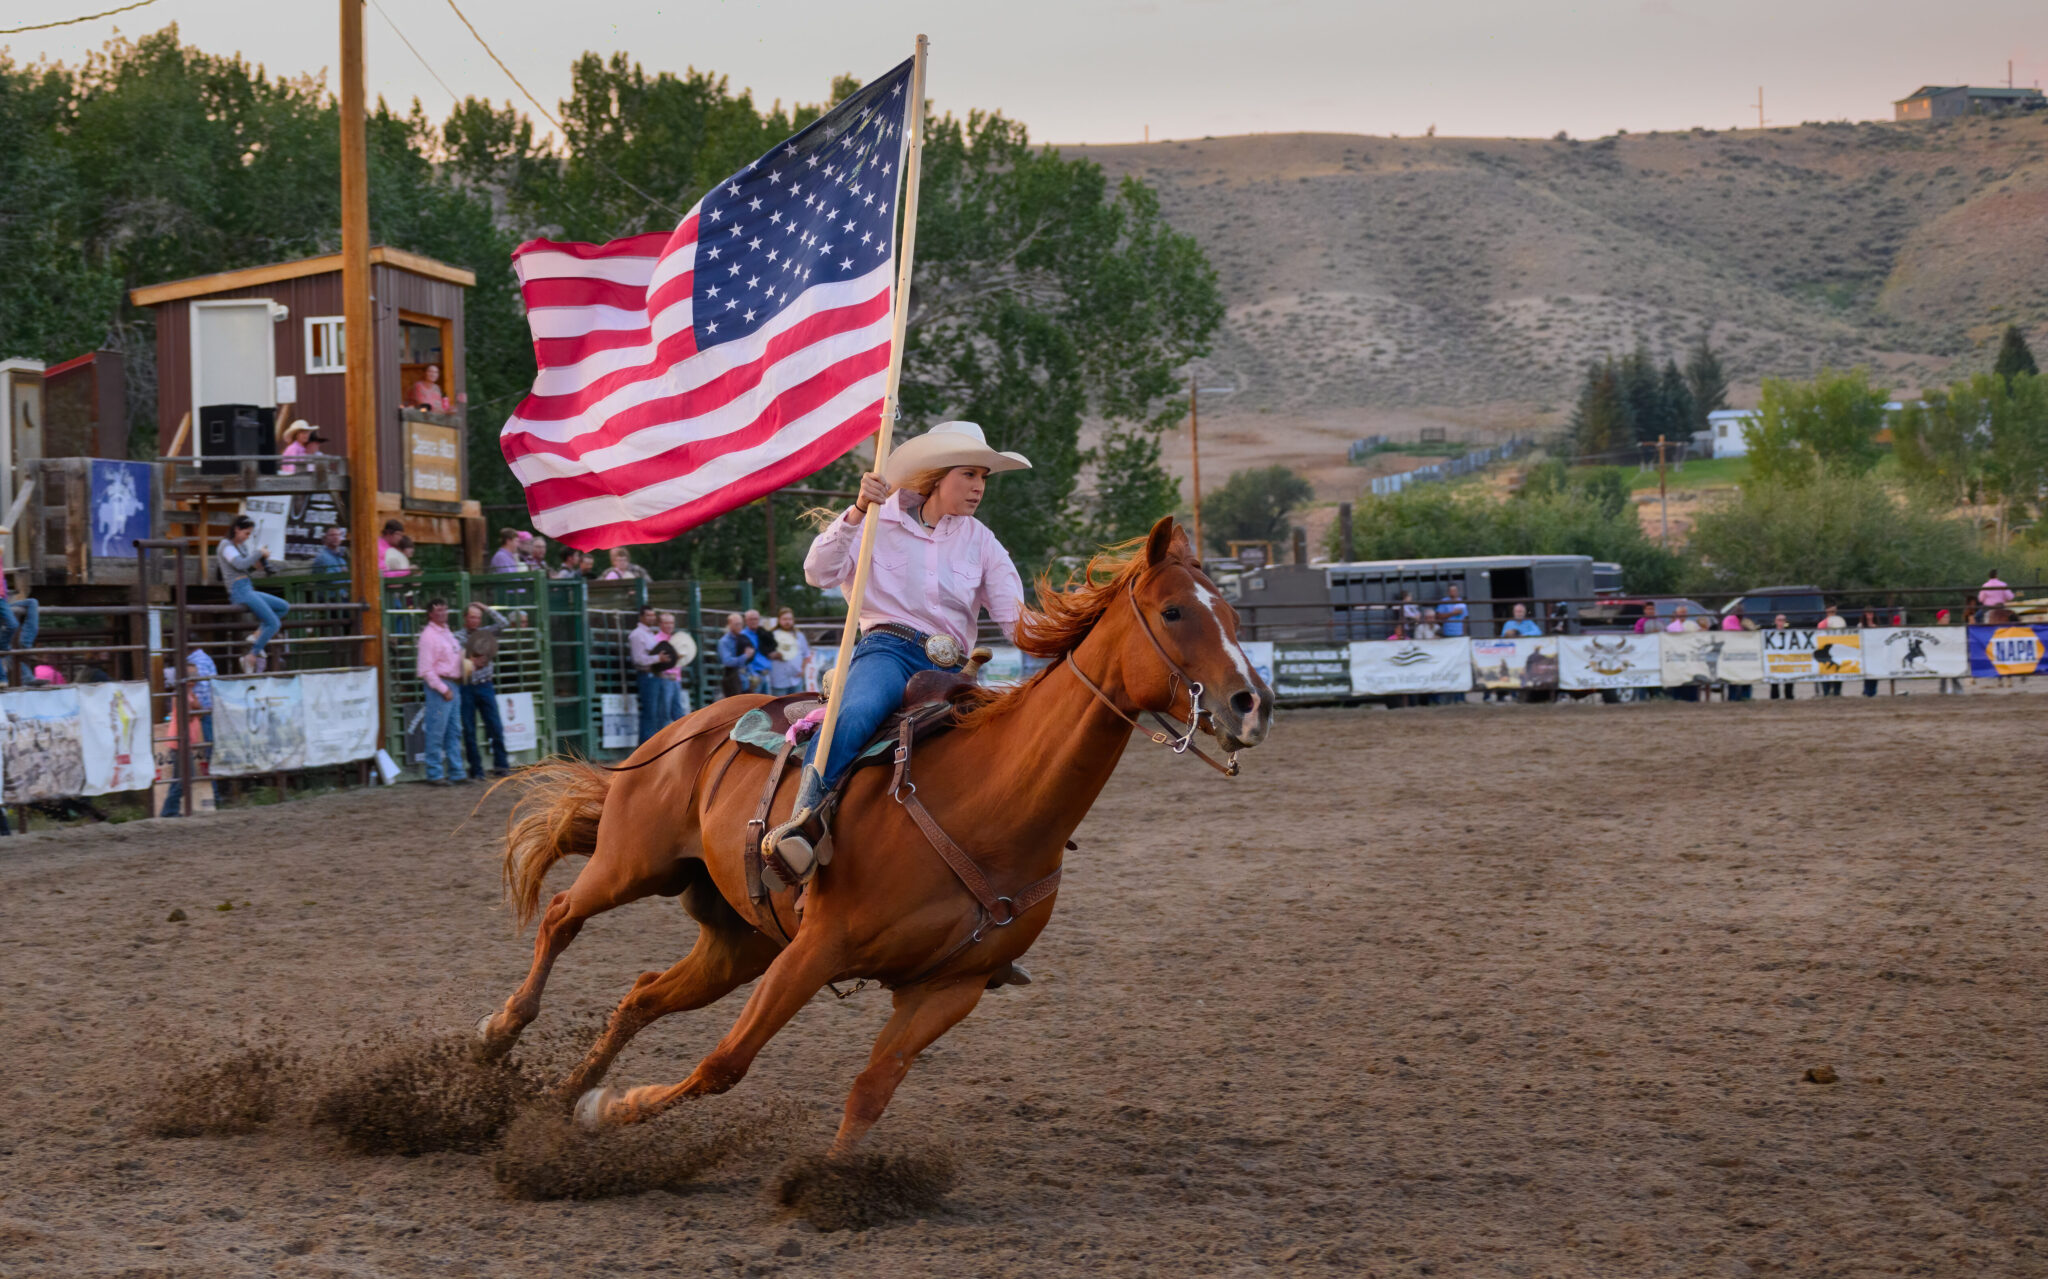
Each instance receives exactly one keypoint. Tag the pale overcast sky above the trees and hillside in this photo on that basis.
(1105, 71)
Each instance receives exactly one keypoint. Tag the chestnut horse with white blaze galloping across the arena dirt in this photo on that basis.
(1009, 785)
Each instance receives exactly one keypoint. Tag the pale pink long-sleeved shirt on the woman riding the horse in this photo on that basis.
(933, 580)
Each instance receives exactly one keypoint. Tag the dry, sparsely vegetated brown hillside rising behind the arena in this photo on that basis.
(1375, 283)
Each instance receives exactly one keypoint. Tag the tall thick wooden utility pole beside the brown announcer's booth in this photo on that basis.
(357, 335)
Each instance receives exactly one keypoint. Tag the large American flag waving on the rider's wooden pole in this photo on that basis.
(687, 373)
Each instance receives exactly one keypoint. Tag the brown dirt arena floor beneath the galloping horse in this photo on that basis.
(1461, 991)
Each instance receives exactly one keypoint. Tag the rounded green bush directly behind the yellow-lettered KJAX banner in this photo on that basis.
(1838, 531)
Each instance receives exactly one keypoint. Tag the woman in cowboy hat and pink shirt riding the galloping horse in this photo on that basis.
(935, 570)
